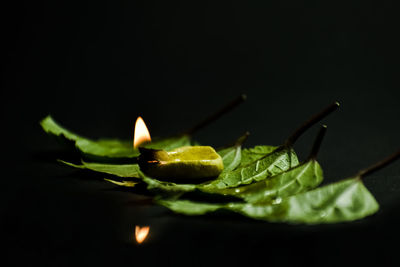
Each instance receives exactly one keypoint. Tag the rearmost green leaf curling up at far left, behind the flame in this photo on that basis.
(108, 149)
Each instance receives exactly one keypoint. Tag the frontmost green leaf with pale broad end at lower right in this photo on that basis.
(347, 200)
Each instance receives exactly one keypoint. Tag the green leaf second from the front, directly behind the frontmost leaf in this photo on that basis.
(299, 179)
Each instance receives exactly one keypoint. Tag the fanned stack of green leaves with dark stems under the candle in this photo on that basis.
(263, 182)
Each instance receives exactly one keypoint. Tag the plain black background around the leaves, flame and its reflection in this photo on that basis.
(96, 67)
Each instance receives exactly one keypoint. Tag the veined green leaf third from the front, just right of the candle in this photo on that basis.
(269, 165)
